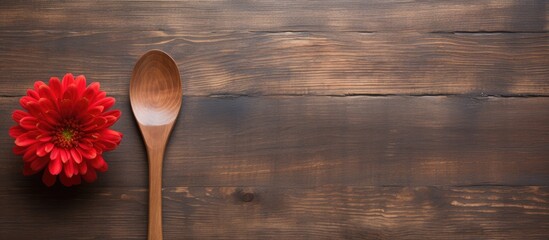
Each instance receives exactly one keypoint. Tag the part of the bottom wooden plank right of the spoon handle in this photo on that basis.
(360, 213)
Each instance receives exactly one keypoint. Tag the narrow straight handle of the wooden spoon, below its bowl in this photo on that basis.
(156, 156)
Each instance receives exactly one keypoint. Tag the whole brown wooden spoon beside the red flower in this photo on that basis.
(155, 96)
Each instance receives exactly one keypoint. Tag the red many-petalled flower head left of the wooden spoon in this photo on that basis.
(65, 130)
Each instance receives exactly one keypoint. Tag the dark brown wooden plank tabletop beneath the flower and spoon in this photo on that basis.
(301, 119)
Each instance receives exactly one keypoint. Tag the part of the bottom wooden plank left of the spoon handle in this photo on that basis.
(75, 213)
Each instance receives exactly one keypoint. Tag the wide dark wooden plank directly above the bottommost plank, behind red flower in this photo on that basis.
(349, 141)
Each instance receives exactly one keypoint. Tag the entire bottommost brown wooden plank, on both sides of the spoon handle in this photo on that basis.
(248, 212)
